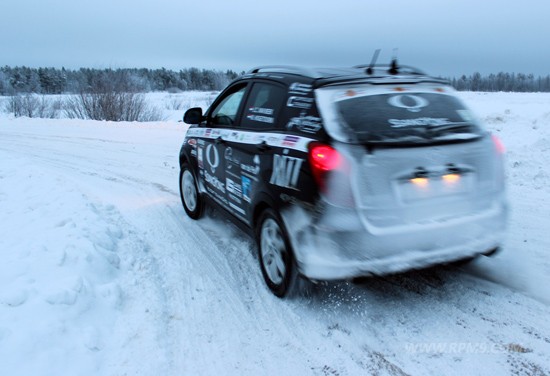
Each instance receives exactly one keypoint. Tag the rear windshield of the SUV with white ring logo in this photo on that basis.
(405, 117)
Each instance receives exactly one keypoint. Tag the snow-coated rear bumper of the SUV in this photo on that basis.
(348, 248)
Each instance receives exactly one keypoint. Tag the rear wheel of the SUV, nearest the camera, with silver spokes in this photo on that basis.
(276, 256)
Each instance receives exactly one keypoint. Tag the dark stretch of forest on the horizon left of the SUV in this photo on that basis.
(19, 80)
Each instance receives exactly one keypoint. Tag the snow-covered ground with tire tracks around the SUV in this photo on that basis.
(103, 274)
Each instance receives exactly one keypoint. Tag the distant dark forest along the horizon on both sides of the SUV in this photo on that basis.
(61, 81)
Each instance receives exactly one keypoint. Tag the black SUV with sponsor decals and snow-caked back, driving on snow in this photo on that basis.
(341, 173)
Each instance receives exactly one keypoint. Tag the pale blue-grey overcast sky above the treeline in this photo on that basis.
(443, 37)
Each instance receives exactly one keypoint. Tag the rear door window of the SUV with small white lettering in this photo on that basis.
(263, 106)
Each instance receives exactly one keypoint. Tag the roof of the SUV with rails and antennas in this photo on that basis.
(368, 74)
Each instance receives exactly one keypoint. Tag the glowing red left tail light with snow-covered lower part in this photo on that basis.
(331, 173)
